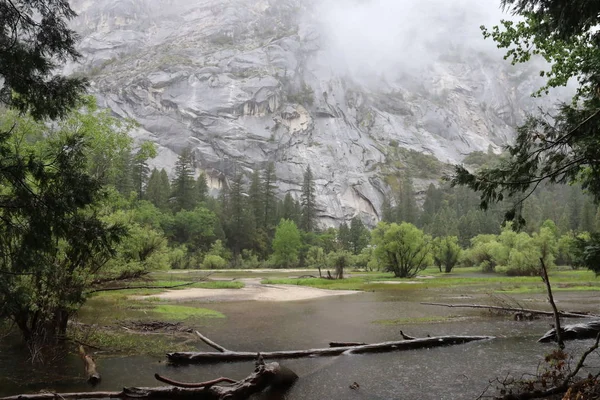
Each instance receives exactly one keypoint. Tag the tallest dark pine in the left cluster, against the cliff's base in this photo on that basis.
(184, 191)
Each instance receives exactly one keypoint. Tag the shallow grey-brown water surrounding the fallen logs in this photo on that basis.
(457, 372)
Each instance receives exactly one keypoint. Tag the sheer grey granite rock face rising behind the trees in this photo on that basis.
(245, 82)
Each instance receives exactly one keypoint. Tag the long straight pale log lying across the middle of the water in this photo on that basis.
(225, 356)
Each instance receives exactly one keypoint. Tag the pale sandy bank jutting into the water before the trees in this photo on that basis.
(253, 290)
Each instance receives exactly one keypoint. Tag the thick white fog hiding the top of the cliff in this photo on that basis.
(374, 37)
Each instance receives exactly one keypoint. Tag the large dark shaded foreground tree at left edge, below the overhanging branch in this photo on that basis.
(52, 242)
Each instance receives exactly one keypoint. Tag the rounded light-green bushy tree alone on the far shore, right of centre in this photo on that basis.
(402, 249)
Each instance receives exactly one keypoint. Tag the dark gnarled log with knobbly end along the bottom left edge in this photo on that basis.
(264, 376)
